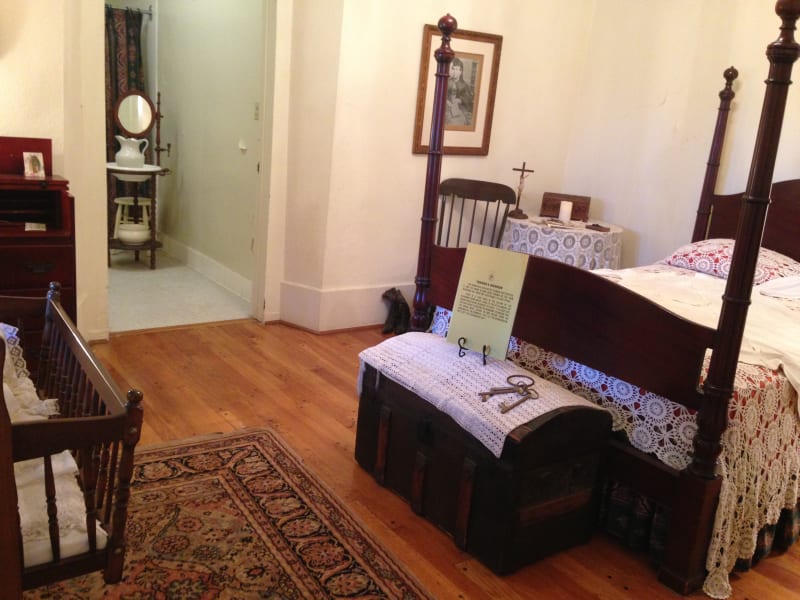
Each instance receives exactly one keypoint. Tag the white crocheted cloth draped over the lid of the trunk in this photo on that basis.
(431, 368)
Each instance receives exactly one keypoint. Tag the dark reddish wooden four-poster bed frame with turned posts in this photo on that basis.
(608, 332)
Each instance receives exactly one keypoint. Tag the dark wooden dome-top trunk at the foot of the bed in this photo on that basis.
(538, 498)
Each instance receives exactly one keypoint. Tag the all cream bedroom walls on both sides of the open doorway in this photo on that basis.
(611, 98)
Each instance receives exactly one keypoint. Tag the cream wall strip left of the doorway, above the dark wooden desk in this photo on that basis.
(52, 80)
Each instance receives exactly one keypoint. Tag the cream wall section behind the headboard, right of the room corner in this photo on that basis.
(640, 139)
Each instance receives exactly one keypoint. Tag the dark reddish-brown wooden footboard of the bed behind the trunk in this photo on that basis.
(594, 321)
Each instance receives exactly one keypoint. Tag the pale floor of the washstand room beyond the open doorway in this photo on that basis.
(171, 294)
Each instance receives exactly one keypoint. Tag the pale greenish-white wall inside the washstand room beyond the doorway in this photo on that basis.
(211, 70)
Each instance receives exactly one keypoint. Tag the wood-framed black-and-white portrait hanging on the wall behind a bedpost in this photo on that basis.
(470, 91)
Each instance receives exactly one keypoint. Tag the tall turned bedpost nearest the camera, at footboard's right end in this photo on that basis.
(682, 570)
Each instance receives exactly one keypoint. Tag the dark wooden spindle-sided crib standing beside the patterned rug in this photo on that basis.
(100, 426)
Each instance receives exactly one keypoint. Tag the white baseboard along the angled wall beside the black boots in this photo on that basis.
(330, 310)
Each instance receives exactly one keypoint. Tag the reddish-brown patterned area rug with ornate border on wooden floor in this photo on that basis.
(239, 516)
